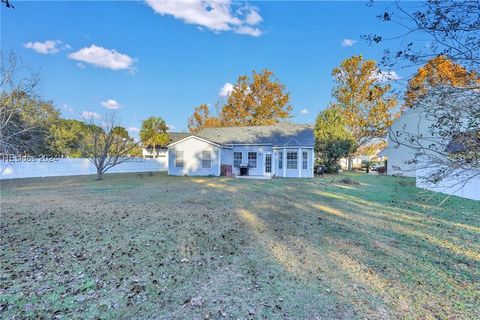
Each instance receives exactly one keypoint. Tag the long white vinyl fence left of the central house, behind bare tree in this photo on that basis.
(74, 167)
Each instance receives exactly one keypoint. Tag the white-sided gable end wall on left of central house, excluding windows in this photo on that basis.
(192, 148)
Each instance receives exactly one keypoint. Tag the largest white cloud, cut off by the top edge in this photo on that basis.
(215, 15)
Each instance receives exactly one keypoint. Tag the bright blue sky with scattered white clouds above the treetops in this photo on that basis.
(165, 58)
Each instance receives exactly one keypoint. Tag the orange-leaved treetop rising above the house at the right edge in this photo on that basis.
(437, 71)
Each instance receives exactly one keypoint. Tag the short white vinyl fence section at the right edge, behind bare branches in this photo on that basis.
(450, 185)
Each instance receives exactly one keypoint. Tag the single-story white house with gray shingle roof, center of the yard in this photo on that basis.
(282, 150)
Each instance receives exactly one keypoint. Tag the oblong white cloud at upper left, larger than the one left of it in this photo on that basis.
(103, 58)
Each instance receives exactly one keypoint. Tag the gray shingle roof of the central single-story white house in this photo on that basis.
(279, 135)
